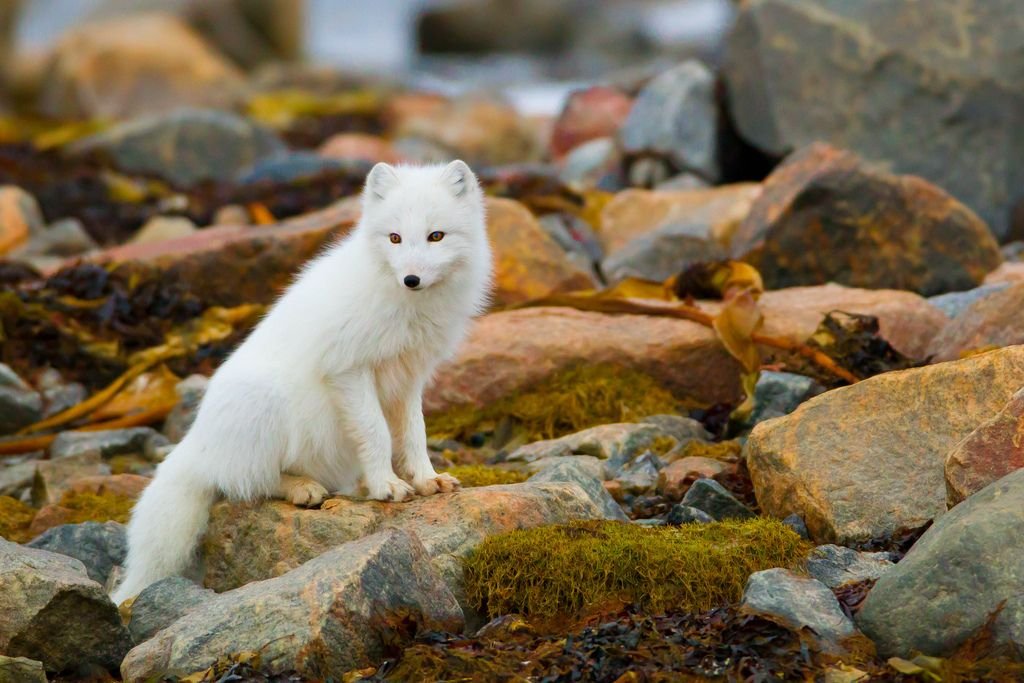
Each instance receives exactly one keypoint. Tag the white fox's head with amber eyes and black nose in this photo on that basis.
(425, 224)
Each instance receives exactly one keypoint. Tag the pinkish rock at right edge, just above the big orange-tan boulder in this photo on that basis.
(992, 322)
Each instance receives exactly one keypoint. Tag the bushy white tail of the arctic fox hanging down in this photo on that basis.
(166, 526)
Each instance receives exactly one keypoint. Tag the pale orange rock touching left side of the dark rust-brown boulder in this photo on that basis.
(711, 215)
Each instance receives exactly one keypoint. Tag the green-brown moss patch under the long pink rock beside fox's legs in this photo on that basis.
(567, 403)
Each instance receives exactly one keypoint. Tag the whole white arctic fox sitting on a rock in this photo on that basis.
(325, 395)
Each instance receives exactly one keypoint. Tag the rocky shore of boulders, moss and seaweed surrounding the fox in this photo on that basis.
(749, 404)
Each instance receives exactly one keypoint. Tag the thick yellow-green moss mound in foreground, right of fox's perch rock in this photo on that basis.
(563, 570)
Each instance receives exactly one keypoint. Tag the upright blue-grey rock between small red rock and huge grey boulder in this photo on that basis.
(675, 120)
